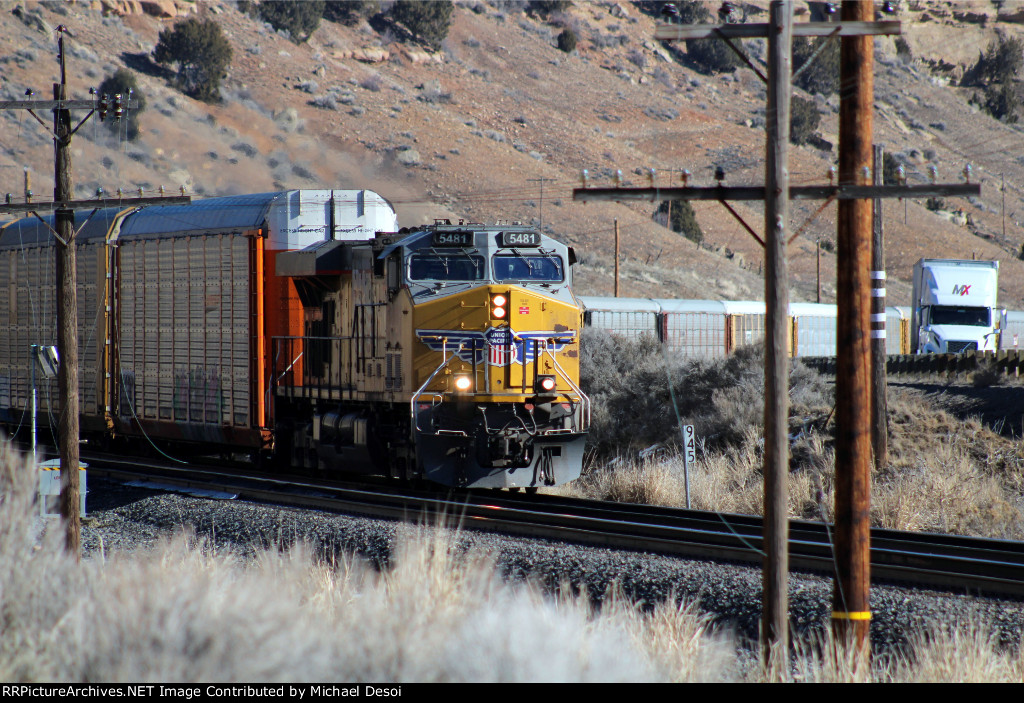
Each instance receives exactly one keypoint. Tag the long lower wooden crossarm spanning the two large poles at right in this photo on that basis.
(798, 193)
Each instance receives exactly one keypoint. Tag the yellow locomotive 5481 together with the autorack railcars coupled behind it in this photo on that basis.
(300, 326)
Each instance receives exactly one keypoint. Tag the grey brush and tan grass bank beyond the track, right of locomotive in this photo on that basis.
(944, 474)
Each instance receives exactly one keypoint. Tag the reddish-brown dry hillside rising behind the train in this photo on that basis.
(476, 130)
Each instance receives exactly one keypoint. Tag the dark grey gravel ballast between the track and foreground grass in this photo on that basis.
(122, 517)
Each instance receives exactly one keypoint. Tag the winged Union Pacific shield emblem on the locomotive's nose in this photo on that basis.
(497, 346)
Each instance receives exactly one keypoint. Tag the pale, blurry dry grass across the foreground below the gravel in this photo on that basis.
(180, 612)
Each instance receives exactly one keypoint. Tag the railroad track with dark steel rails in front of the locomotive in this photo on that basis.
(959, 564)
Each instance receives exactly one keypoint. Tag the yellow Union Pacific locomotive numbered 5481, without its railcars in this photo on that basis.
(448, 353)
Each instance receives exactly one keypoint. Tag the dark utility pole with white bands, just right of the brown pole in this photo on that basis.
(880, 413)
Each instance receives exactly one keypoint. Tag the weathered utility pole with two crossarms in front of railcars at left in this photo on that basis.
(67, 285)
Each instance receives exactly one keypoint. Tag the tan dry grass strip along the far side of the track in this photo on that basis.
(966, 482)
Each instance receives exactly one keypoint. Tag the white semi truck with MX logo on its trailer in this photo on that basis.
(955, 306)
